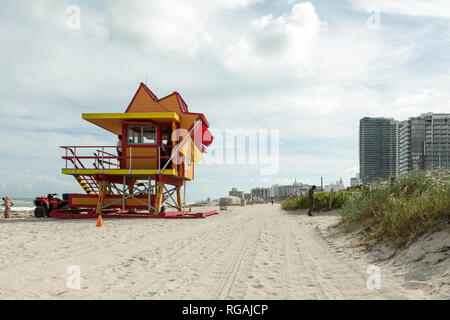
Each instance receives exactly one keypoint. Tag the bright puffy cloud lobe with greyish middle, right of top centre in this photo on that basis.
(283, 43)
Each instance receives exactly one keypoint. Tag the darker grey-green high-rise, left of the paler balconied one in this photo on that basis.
(378, 148)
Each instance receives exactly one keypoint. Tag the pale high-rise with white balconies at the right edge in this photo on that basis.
(424, 142)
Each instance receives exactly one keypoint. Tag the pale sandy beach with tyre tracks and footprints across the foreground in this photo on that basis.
(253, 252)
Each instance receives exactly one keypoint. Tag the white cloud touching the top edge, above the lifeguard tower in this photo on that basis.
(176, 25)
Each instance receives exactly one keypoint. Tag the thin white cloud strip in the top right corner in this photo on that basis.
(426, 8)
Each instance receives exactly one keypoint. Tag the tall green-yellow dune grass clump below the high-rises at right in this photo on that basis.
(400, 210)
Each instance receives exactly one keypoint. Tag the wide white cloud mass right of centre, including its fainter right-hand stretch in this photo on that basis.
(302, 44)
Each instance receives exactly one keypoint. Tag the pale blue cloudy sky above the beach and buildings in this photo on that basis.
(308, 70)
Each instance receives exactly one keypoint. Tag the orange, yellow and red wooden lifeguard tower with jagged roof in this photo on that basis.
(142, 176)
